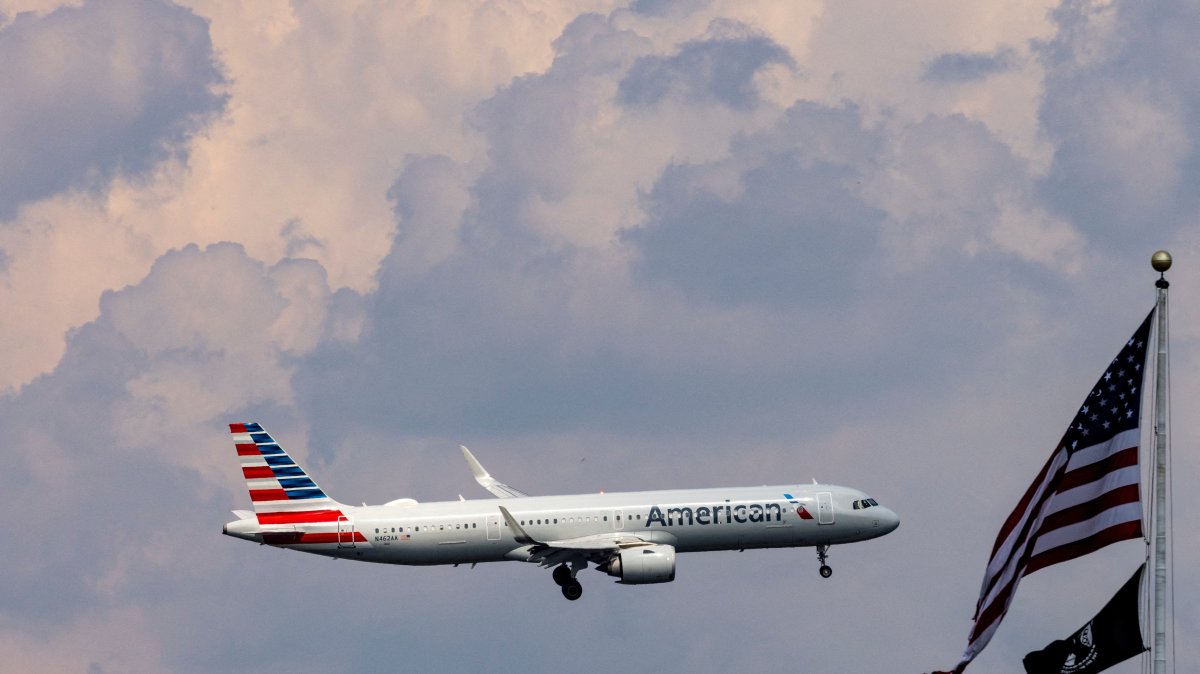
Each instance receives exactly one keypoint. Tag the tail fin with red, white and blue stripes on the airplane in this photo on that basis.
(281, 491)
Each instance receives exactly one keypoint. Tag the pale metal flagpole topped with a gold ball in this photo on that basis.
(1161, 262)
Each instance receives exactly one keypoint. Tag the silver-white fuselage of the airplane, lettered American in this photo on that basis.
(470, 532)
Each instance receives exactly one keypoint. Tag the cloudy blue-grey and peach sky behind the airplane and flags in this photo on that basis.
(608, 245)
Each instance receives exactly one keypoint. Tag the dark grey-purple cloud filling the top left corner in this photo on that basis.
(98, 91)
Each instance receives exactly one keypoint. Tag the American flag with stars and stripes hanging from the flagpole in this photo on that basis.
(1085, 498)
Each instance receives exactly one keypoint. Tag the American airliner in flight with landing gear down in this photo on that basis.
(633, 537)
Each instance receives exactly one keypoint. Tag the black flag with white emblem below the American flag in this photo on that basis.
(1113, 636)
